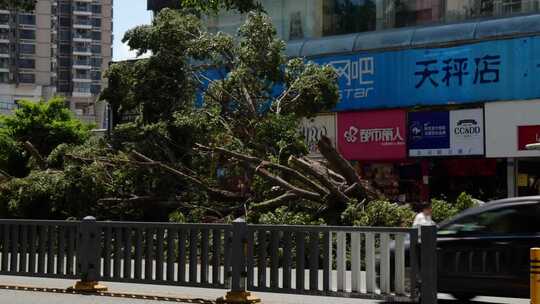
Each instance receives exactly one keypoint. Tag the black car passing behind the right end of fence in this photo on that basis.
(485, 250)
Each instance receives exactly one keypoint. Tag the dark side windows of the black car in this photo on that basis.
(521, 219)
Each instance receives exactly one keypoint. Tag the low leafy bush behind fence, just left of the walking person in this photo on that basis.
(378, 214)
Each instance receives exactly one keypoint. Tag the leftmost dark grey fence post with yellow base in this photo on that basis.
(89, 256)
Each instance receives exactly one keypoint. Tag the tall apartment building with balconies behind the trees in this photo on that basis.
(61, 48)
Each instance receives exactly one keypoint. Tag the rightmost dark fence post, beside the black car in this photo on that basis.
(428, 264)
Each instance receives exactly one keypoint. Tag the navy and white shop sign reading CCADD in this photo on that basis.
(446, 133)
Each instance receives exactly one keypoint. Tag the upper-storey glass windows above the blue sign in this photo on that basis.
(301, 19)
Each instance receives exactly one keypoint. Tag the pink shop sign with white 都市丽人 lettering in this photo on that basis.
(372, 135)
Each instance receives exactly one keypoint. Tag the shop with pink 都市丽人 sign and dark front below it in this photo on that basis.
(376, 141)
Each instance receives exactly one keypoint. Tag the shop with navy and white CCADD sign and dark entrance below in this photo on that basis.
(451, 145)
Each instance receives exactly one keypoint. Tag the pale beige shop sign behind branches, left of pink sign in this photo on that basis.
(312, 129)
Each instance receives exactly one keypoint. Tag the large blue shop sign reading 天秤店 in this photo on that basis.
(480, 72)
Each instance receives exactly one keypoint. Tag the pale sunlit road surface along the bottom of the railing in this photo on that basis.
(174, 294)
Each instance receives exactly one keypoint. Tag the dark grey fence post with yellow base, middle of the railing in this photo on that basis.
(238, 293)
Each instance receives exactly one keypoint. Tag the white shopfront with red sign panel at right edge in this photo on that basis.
(510, 126)
